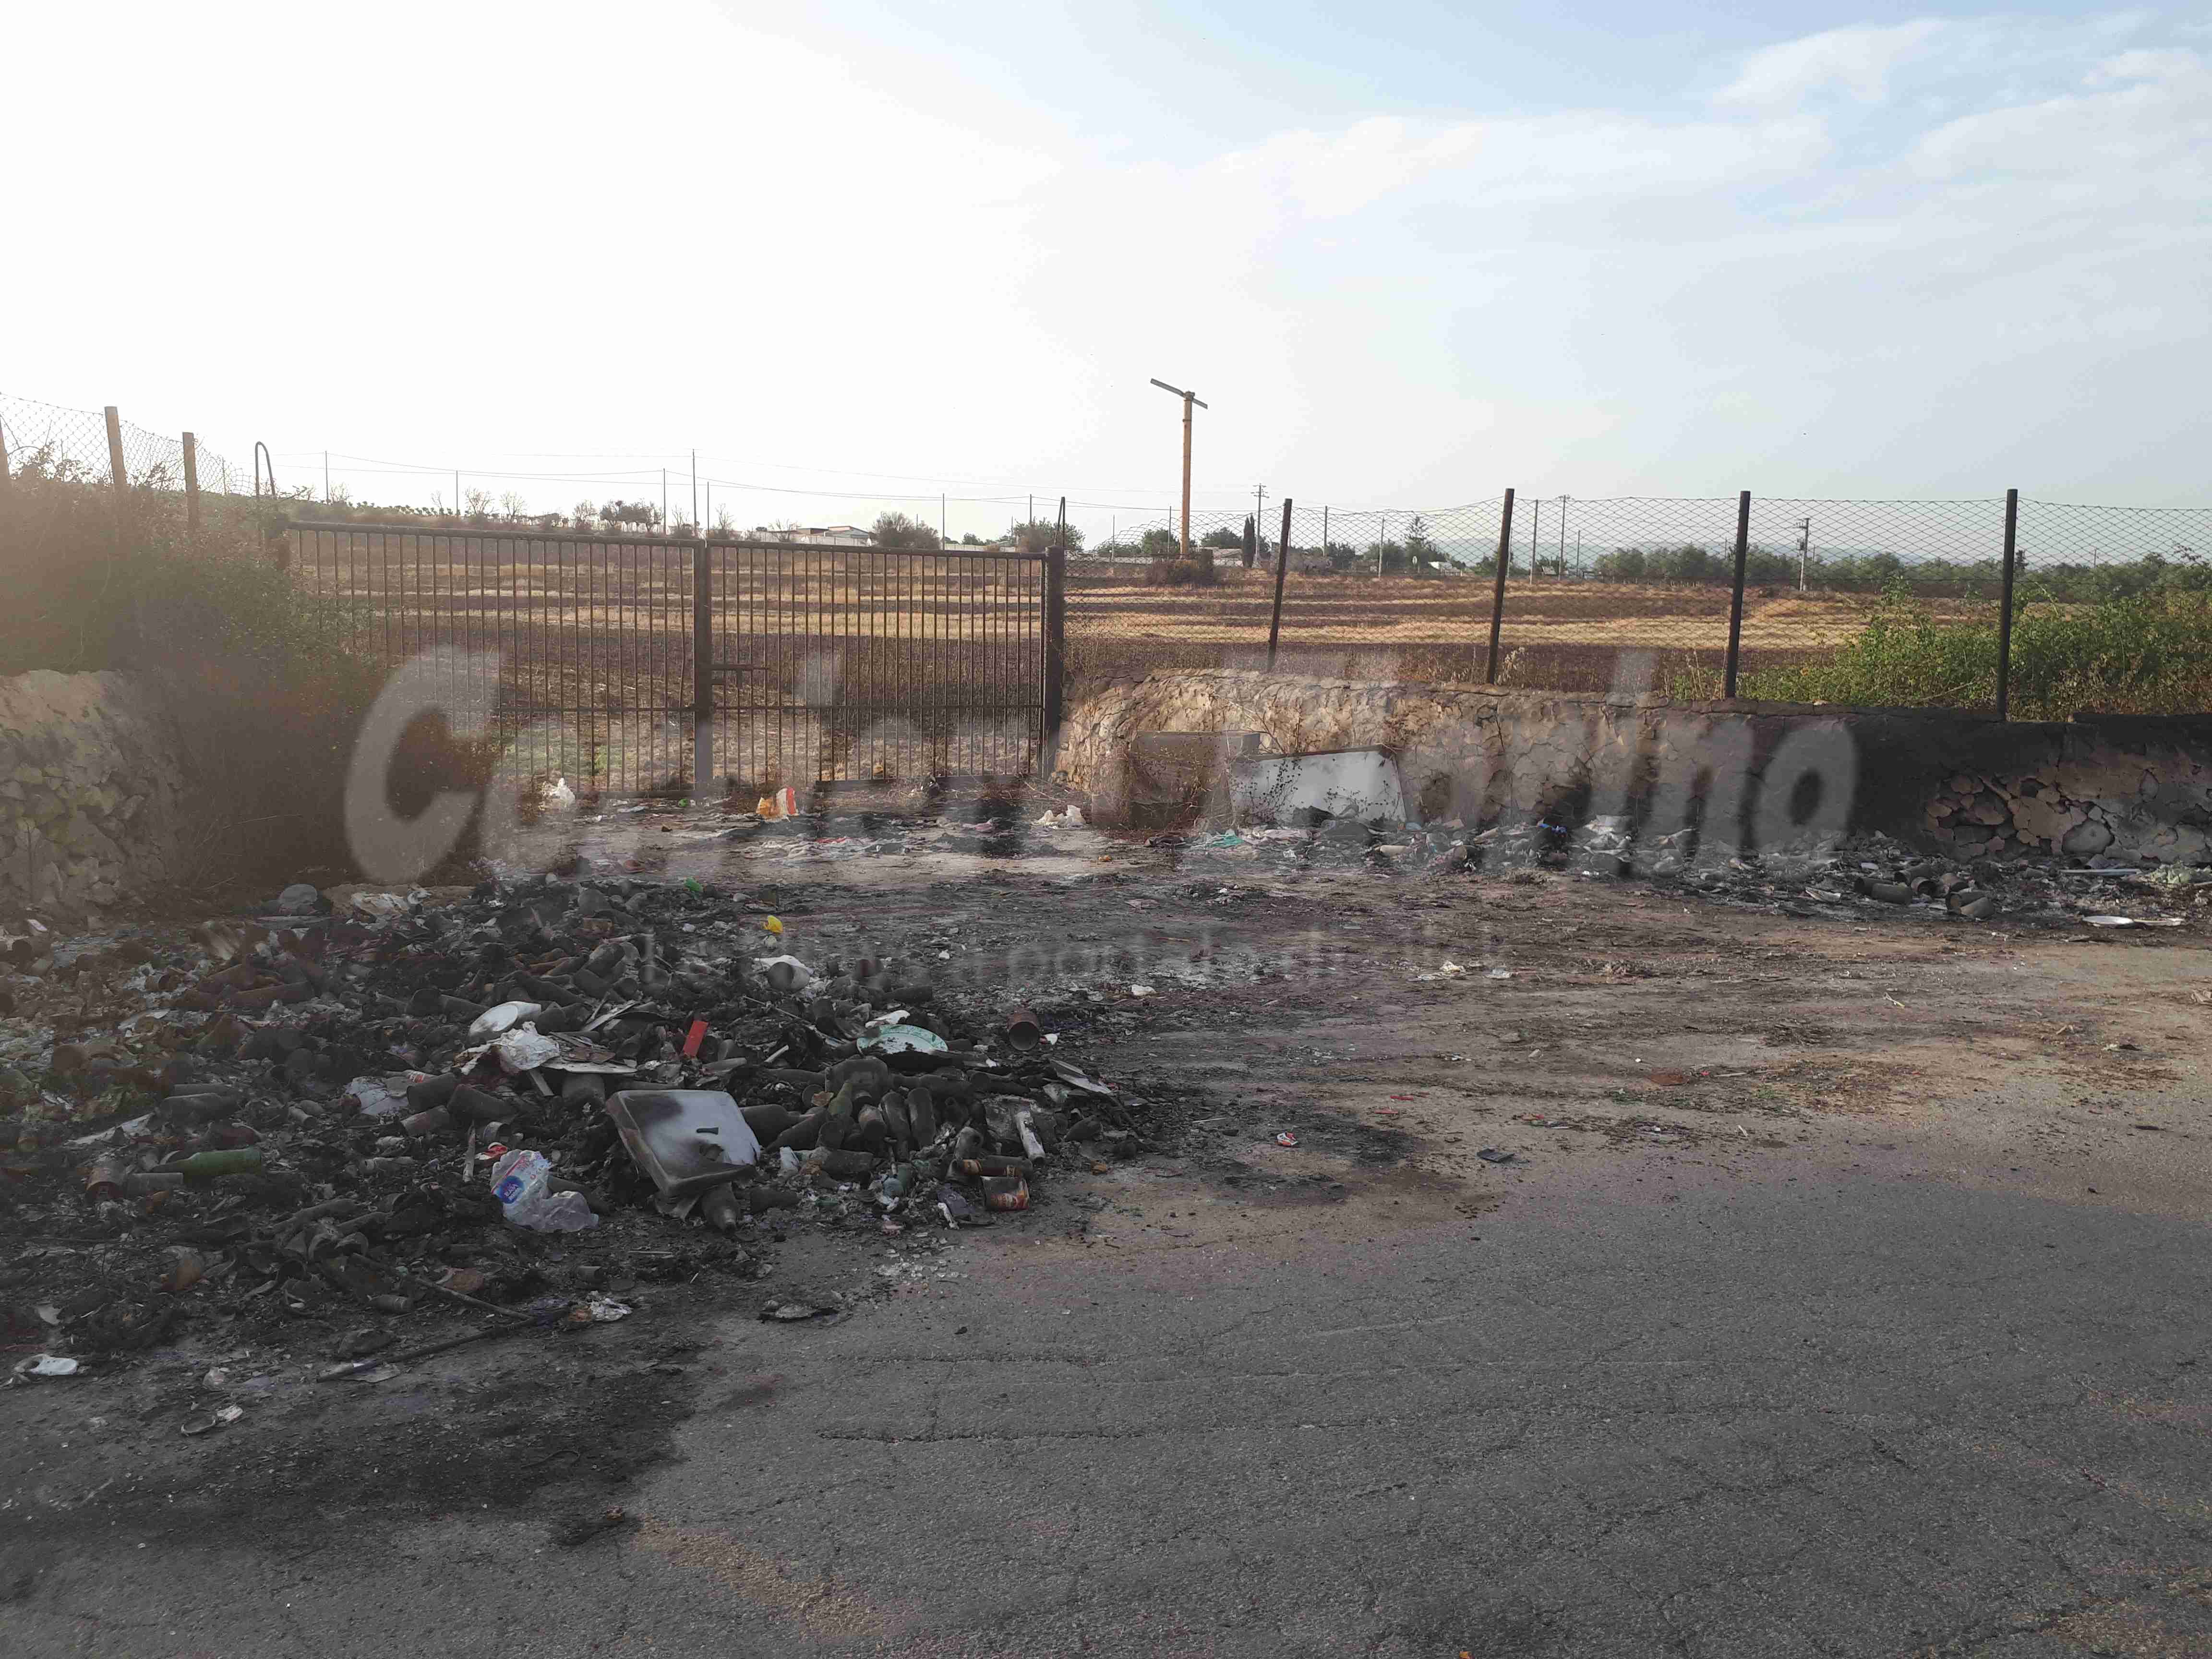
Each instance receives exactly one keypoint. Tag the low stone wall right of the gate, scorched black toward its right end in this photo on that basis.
(1939, 780)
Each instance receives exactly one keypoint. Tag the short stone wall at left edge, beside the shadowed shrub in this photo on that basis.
(90, 793)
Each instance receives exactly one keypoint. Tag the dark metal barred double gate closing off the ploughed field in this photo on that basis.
(607, 658)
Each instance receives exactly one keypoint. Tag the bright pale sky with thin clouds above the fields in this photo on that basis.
(875, 253)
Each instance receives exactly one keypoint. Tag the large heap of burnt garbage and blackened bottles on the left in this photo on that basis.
(397, 1103)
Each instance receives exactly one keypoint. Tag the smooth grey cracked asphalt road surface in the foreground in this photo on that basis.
(1841, 1412)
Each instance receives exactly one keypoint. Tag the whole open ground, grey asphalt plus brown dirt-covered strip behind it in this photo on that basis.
(1877, 1337)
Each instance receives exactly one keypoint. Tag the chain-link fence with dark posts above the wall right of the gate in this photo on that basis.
(1875, 603)
